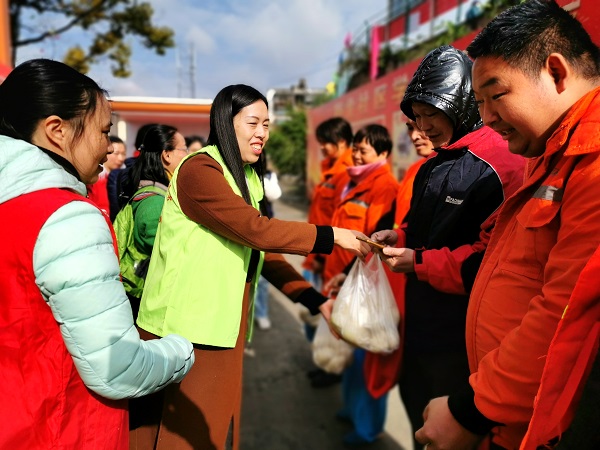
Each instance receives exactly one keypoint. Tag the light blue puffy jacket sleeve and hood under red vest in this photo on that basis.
(77, 272)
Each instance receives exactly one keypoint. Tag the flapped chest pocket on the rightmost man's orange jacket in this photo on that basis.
(534, 234)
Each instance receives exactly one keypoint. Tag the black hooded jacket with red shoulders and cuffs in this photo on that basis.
(454, 194)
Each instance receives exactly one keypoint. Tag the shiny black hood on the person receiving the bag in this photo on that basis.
(443, 80)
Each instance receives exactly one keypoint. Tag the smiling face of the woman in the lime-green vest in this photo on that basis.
(251, 126)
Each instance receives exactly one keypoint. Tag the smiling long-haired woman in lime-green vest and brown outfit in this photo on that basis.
(212, 244)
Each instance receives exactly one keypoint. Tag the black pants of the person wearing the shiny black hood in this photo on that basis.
(427, 376)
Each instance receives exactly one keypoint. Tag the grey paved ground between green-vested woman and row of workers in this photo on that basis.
(281, 411)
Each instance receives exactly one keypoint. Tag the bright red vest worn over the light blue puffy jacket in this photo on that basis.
(44, 403)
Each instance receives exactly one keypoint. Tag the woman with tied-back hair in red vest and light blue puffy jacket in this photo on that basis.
(69, 353)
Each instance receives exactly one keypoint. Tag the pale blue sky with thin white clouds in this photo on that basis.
(264, 43)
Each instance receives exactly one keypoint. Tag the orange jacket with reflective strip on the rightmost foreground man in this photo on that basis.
(544, 235)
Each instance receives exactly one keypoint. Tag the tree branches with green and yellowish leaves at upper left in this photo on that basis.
(109, 22)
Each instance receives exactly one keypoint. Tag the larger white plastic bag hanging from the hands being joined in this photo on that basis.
(365, 312)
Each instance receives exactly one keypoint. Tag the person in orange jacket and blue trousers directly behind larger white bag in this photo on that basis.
(364, 193)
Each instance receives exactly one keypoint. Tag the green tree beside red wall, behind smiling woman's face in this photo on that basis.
(287, 144)
